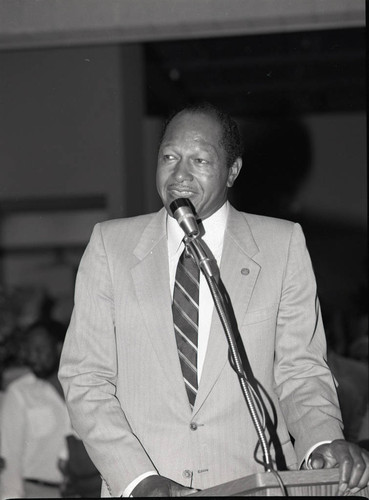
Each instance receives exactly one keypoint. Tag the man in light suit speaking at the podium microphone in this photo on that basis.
(120, 367)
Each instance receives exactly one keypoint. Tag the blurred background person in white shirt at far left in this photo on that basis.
(34, 419)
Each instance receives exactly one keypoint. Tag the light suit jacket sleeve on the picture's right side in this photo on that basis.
(304, 383)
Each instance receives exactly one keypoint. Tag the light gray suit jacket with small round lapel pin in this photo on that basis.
(121, 373)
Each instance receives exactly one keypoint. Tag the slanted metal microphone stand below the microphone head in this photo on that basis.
(209, 268)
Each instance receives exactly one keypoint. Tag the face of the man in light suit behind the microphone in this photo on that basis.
(192, 164)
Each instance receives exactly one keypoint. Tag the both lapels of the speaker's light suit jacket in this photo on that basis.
(239, 273)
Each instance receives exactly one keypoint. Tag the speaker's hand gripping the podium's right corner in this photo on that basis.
(352, 461)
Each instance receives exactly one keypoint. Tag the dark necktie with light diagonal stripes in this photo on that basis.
(185, 318)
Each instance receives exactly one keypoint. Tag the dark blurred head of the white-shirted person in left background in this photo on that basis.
(43, 342)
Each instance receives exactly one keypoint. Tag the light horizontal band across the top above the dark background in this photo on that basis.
(45, 23)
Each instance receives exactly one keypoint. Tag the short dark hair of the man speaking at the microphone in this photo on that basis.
(231, 137)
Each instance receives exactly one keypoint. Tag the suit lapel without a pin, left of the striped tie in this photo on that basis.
(151, 280)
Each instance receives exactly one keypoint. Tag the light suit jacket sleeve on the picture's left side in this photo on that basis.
(88, 373)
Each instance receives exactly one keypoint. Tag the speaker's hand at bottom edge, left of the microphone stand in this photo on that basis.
(159, 486)
